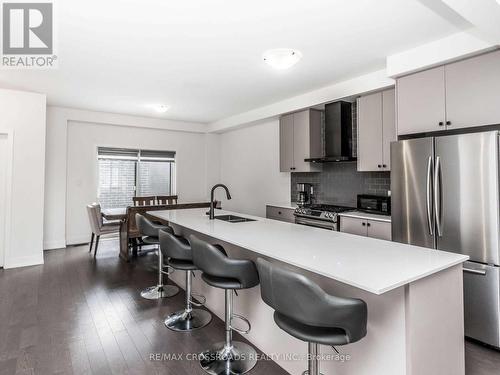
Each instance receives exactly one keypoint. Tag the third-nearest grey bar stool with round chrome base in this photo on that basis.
(180, 257)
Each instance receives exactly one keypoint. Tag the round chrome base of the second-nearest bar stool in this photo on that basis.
(221, 360)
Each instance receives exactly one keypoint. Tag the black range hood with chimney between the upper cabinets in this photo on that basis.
(338, 134)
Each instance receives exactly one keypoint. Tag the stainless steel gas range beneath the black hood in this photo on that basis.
(320, 215)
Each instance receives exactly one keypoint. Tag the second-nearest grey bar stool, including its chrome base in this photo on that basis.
(219, 271)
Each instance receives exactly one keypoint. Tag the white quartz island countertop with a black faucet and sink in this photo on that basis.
(373, 265)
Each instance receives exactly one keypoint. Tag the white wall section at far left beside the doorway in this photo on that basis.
(24, 114)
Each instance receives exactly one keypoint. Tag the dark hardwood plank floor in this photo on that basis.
(77, 315)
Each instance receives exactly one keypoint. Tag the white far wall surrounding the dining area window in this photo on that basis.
(82, 174)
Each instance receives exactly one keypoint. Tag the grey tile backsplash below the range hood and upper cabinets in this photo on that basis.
(340, 183)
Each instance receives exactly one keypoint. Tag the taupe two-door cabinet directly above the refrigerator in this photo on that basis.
(452, 96)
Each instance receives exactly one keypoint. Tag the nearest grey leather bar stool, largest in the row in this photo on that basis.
(305, 311)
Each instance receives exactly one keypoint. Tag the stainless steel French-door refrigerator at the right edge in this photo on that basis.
(445, 195)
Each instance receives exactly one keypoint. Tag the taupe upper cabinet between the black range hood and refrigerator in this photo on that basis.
(376, 130)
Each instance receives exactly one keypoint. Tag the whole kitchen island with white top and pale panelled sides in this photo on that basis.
(414, 295)
